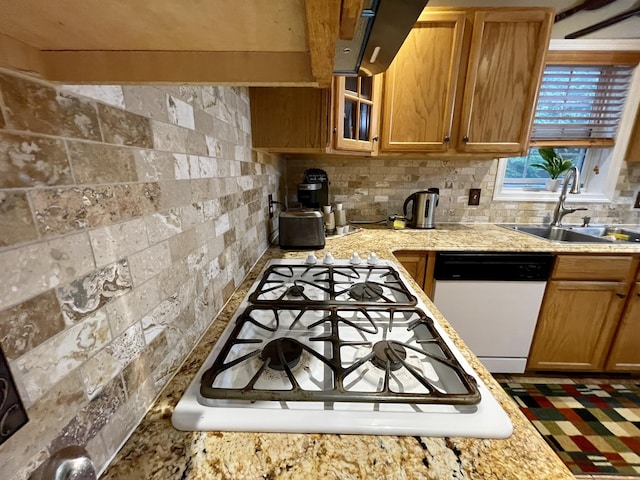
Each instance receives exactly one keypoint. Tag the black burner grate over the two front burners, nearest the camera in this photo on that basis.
(349, 343)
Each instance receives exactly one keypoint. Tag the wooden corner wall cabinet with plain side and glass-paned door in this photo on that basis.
(310, 120)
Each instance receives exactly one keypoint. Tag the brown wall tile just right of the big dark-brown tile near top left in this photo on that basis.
(124, 128)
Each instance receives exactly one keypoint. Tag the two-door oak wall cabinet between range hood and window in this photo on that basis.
(466, 81)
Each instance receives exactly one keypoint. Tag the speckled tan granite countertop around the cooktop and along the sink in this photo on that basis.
(157, 451)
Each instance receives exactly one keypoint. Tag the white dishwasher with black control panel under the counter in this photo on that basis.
(492, 299)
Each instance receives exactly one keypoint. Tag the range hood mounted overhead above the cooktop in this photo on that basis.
(381, 31)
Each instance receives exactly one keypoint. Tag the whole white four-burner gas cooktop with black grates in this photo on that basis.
(337, 346)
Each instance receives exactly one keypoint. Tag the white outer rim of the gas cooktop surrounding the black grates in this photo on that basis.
(484, 420)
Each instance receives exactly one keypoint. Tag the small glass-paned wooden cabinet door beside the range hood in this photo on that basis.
(356, 113)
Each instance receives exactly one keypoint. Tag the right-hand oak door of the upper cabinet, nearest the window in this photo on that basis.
(506, 61)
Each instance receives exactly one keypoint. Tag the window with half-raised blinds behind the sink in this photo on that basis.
(578, 113)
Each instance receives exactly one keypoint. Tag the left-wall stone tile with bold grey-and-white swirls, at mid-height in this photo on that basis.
(89, 293)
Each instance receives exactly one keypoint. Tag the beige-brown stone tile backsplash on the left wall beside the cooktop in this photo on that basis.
(128, 216)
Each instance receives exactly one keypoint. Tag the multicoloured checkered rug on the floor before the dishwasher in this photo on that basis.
(595, 429)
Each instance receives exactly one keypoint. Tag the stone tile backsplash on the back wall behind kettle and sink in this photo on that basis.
(373, 187)
